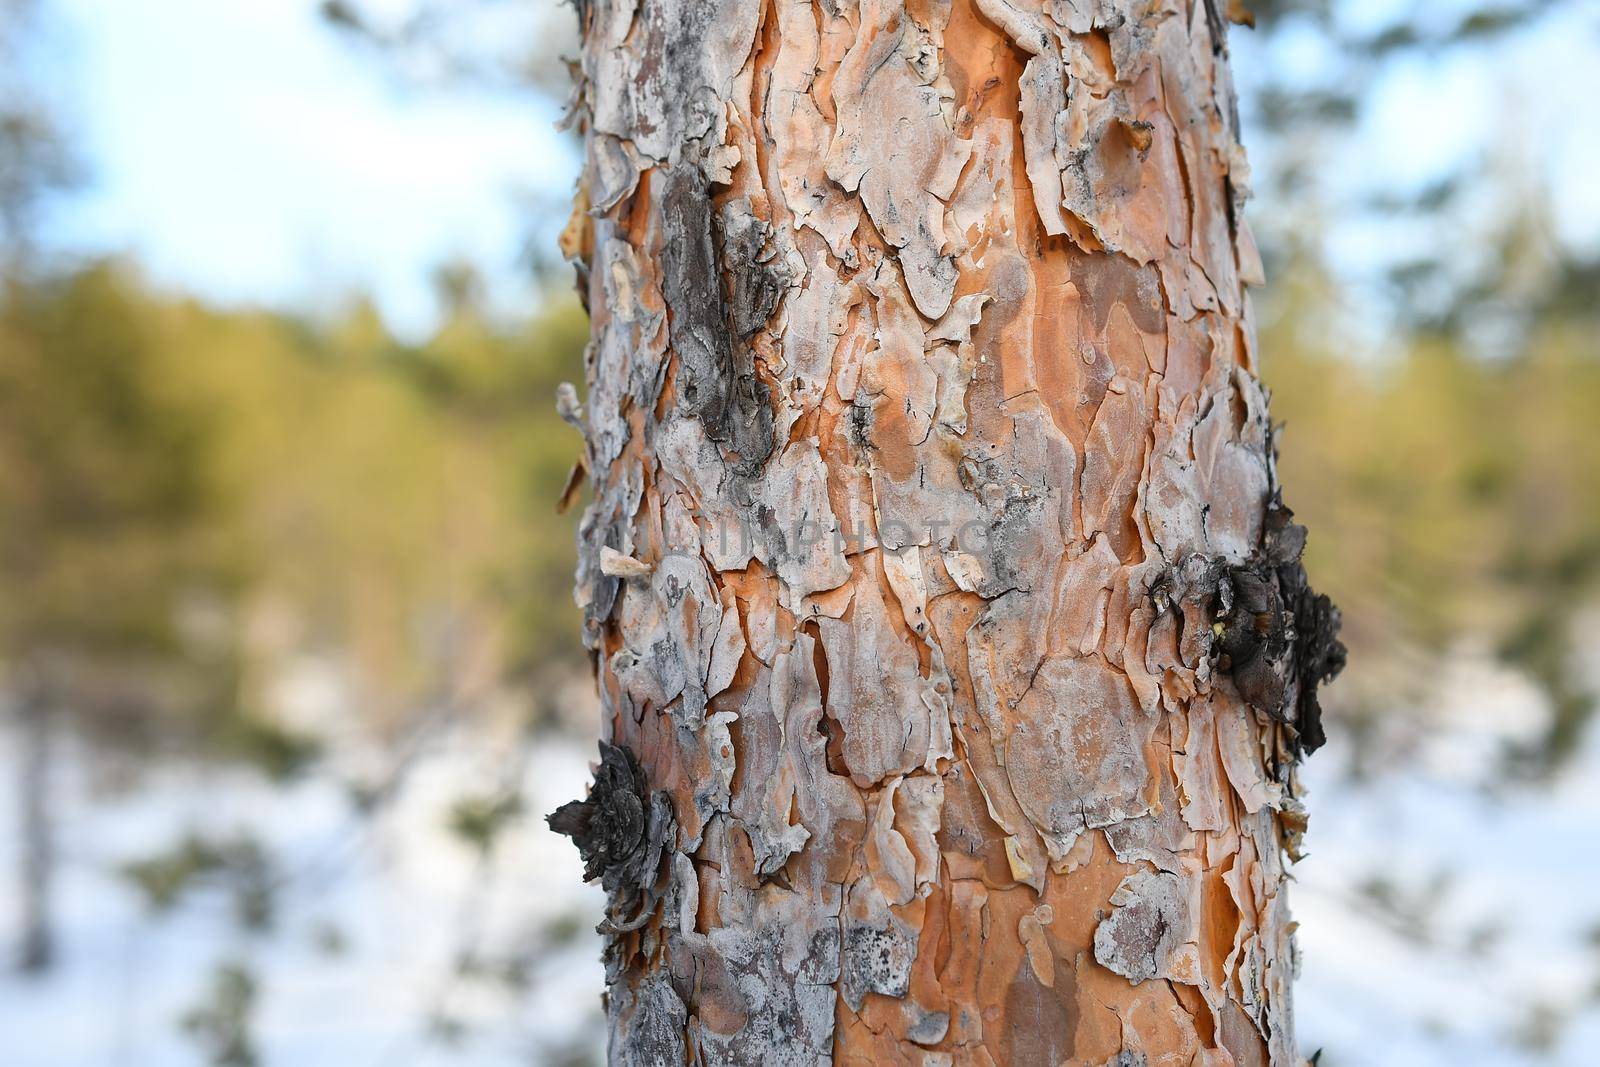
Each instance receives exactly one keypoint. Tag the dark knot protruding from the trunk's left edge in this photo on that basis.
(622, 831)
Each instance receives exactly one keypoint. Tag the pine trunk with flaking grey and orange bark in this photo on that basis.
(953, 645)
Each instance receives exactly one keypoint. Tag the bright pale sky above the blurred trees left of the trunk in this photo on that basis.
(244, 151)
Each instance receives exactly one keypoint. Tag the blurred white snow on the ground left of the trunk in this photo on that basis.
(399, 890)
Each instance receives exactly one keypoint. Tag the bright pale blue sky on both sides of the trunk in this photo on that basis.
(242, 151)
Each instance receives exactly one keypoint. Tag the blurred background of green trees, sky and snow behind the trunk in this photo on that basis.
(289, 658)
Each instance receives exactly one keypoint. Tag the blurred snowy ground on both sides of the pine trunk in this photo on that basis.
(1478, 948)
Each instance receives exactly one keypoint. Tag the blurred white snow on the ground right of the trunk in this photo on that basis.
(1514, 871)
